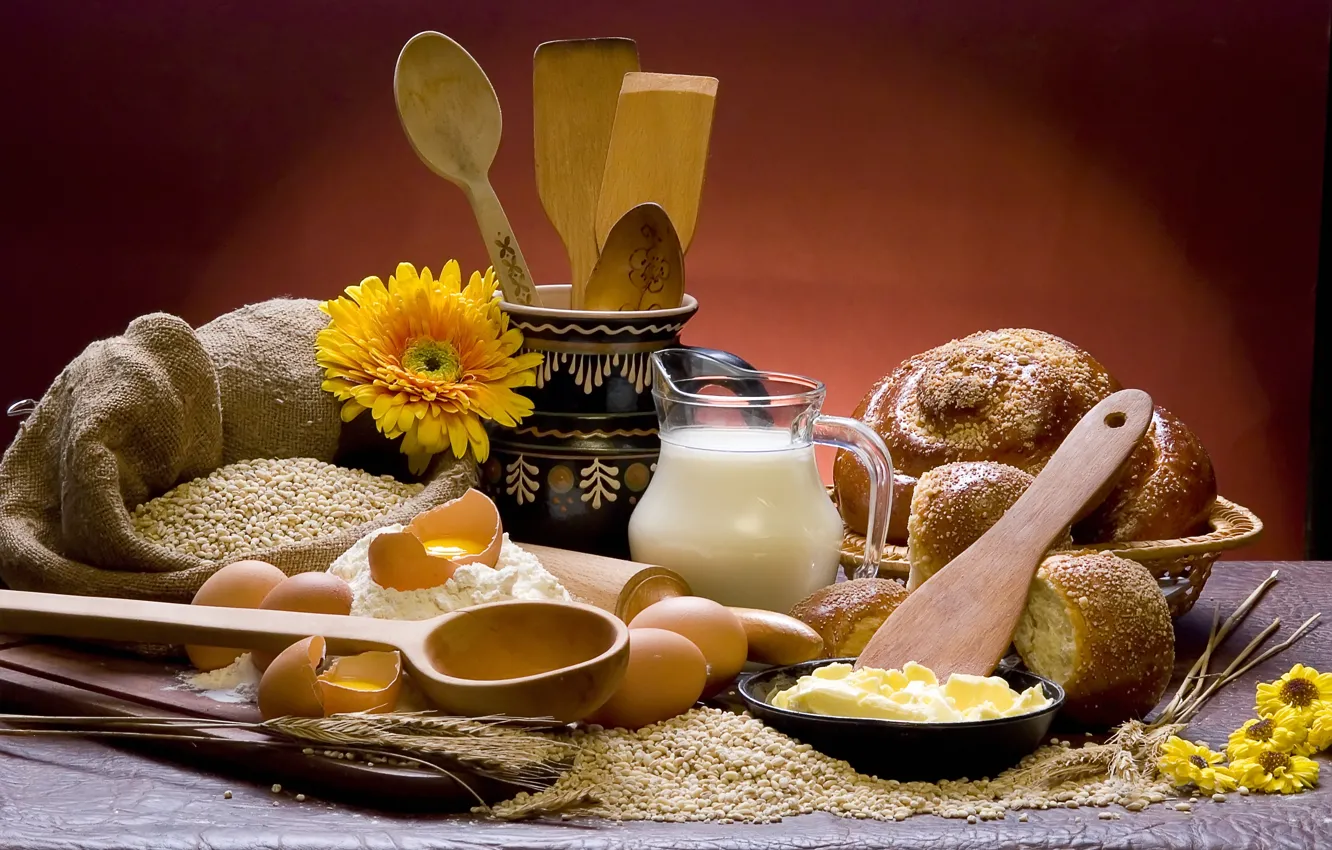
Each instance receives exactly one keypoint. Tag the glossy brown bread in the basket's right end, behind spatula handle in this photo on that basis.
(1166, 491)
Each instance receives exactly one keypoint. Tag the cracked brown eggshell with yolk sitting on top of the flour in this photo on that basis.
(438, 543)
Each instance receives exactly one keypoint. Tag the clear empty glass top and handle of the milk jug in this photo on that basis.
(700, 392)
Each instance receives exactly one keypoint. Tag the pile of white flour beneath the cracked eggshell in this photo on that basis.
(517, 576)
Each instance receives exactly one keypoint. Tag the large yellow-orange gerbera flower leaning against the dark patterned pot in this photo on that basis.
(428, 359)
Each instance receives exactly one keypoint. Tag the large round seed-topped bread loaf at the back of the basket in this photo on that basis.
(1009, 396)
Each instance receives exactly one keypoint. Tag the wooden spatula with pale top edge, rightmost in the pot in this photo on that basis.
(659, 150)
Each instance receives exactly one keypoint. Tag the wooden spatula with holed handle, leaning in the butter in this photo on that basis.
(962, 619)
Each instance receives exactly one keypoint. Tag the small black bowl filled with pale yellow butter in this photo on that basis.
(905, 724)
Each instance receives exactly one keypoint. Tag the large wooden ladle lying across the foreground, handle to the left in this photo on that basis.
(521, 659)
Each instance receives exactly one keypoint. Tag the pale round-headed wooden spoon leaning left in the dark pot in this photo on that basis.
(452, 118)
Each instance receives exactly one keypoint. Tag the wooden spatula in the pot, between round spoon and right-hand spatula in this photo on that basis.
(575, 91)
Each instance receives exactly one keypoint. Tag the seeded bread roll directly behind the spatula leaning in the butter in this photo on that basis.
(953, 507)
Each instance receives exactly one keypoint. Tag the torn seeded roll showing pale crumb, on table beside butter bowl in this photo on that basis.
(1100, 626)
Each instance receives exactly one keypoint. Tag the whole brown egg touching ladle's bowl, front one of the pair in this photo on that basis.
(665, 677)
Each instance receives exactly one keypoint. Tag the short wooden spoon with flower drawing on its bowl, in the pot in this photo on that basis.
(641, 267)
